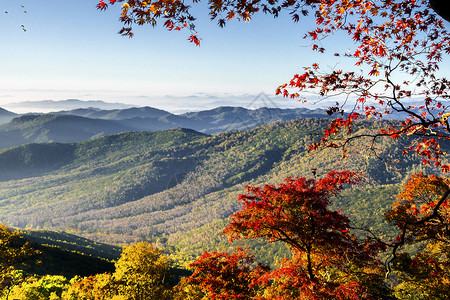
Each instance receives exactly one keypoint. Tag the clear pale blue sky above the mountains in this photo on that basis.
(71, 50)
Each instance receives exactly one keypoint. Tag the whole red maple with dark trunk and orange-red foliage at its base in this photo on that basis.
(325, 256)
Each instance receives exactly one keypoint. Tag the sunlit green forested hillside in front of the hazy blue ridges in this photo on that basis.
(178, 187)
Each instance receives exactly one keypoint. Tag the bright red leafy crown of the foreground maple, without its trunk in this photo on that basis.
(293, 211)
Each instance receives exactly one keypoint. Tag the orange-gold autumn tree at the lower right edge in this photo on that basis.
(423, 216)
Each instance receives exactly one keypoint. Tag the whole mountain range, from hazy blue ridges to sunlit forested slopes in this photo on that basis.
(123, 175)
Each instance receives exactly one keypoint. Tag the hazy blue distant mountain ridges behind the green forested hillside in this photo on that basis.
(87, 123)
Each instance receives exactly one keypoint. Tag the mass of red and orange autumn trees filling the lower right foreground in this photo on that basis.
(327, 261)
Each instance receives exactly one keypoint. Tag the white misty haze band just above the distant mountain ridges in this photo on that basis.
(174, 103)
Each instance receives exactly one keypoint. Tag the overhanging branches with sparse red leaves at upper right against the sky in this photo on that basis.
(399, 46)
